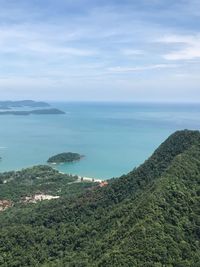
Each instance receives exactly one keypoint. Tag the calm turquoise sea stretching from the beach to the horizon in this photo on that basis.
(114, 137)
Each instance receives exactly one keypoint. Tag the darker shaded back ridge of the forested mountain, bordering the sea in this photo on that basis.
(152, 168)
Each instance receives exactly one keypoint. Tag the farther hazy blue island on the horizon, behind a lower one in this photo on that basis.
(22, 103)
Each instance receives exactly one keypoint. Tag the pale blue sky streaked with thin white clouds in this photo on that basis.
(100, 50)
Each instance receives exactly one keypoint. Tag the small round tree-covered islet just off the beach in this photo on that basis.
(65, 157)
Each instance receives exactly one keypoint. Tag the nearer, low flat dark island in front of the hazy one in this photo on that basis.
(50, 111)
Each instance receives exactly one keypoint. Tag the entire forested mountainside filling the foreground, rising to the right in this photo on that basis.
(149, 217)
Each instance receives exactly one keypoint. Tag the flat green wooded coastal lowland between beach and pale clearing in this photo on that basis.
(39, 179)
